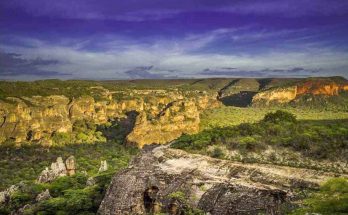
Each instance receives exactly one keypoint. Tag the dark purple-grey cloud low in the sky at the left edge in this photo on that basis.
(11, 64)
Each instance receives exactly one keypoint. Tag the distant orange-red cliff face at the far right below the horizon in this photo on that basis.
(310, 87)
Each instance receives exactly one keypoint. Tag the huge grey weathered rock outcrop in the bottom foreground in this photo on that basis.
(218, 187)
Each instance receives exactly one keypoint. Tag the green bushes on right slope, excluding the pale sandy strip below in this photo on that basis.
(320, 139)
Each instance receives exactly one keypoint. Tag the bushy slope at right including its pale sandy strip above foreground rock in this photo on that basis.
(279, 139)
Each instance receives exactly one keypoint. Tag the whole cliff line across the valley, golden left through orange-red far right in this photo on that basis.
(161, 115)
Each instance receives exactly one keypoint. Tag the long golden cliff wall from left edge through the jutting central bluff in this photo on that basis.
(37, 118)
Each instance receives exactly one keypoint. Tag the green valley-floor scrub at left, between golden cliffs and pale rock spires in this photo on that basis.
(26, 163)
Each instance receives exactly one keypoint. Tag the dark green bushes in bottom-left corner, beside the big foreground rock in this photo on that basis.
(70, 195)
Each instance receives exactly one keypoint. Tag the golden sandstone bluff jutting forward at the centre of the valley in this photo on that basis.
(177, 118)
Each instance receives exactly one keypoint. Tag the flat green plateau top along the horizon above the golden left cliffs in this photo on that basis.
(78, 88)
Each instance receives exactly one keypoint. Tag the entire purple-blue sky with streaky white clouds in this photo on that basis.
(159, 39)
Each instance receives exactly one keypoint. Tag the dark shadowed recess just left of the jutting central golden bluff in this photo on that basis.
(120, 127)
